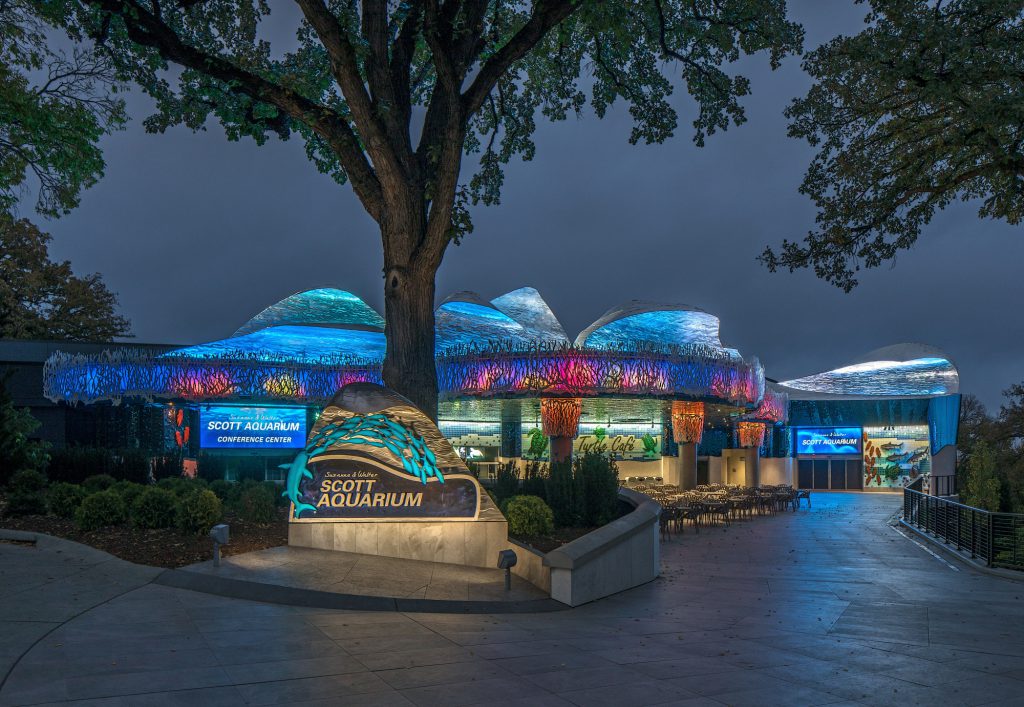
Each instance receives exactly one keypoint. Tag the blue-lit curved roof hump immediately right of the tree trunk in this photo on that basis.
(462, 322)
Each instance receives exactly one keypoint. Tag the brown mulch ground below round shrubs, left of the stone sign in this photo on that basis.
(165, 548)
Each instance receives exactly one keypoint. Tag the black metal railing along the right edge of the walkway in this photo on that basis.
(996, 538)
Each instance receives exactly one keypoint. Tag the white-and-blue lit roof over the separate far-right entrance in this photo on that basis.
(902, 370)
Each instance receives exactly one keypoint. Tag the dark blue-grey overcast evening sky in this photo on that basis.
(197, 235)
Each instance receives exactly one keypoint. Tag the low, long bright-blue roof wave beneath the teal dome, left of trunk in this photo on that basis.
(305, 345)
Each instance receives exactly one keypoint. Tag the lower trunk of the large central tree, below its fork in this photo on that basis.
(409, 316)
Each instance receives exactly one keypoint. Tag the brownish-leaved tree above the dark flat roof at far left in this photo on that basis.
(41, 300)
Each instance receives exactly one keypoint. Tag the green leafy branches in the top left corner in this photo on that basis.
(55, 107)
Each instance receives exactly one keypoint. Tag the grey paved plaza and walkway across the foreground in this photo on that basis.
(827, 606)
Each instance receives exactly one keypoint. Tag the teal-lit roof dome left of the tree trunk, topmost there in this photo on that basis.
(323, 307)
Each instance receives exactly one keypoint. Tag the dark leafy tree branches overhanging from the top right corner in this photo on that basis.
(923, 108)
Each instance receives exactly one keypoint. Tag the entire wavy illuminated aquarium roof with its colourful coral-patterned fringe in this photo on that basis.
(308, 346)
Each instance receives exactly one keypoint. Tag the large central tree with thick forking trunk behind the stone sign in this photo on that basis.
(390, 96)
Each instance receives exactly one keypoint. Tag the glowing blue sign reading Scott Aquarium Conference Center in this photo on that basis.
(232, 428)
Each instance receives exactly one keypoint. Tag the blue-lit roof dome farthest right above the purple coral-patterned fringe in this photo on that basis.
(666, 325)
